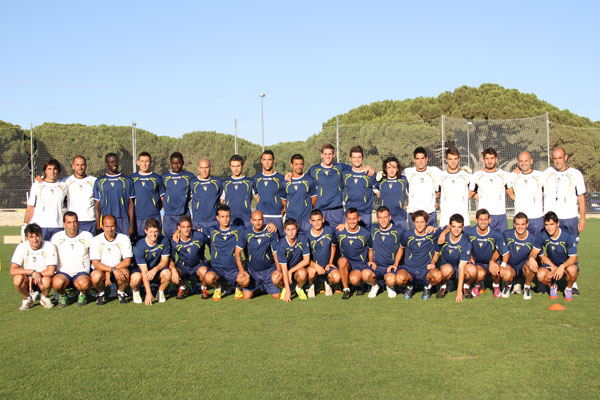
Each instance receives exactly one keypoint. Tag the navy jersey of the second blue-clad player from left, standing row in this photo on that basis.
(148, 189)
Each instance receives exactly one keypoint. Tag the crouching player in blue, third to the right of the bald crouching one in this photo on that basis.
(354, 242)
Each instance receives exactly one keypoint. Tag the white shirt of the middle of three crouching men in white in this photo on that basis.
(73, 252)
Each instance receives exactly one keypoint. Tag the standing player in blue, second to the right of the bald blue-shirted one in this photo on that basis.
(269, 192)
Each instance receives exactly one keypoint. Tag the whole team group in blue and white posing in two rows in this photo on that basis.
(152, 230)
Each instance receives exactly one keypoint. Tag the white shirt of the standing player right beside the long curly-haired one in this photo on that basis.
(422, 186)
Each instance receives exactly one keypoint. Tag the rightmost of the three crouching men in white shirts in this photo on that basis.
(111, 254)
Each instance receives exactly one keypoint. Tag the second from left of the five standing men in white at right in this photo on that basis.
(454, 189)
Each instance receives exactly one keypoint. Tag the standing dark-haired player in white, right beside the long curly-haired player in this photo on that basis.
(422, 186)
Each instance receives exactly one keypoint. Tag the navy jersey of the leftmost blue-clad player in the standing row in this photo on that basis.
(113, 192)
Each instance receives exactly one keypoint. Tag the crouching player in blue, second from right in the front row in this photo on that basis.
(524, 248)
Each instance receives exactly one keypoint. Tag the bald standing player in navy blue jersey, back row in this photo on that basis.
(206, 196)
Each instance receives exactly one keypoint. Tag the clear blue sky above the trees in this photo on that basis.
(175, 67)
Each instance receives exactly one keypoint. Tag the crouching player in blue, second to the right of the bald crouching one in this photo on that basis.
(321, 240)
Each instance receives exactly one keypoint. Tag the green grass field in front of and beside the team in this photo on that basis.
(320, 348)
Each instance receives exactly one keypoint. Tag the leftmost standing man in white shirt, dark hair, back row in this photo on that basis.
(46, 200)
